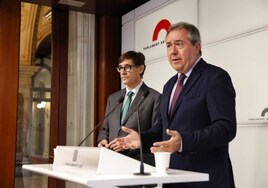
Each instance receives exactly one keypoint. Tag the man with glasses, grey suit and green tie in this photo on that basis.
(131, 67)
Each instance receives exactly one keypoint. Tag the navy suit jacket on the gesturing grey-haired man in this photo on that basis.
(206, 119)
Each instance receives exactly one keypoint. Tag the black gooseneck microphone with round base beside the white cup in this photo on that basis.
(141, 173)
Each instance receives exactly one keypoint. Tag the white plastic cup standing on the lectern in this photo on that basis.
(162, 162)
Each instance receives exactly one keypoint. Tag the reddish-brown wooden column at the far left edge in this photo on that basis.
(9, 72)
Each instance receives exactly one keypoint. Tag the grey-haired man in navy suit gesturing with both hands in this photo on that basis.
(203, 122)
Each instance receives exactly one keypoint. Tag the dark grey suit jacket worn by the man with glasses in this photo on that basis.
(149, 110)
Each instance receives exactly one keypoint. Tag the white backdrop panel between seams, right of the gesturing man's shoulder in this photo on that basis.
(247, 65)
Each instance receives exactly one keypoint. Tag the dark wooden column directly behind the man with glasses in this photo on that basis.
(108, 52)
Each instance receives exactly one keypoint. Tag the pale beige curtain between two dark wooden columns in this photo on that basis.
(81, 61)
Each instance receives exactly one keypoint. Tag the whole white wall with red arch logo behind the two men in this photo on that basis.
(234, 35)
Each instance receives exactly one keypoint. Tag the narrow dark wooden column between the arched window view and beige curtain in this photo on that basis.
(58, 116)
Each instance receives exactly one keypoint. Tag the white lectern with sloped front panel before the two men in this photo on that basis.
(100, 167)
